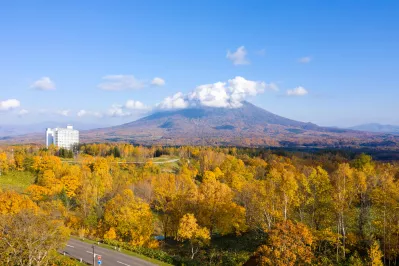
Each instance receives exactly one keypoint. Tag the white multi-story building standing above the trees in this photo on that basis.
(62, 137)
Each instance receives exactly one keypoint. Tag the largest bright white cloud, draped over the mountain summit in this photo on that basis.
(228, 94)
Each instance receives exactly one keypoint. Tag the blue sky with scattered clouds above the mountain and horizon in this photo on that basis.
(334, 63)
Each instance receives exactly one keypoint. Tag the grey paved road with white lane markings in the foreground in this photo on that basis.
(79, 249)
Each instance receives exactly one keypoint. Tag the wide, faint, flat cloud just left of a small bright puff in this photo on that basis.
(121, 82)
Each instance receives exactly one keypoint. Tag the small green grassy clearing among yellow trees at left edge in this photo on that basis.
(15, 180)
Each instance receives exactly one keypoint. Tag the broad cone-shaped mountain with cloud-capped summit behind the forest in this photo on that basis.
(247, 125)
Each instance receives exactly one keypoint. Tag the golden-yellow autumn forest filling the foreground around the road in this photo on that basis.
(199, 205)
